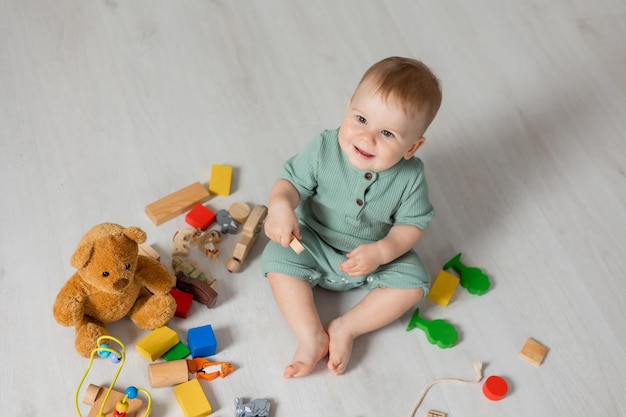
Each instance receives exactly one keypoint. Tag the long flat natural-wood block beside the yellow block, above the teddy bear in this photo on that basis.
(176, 203)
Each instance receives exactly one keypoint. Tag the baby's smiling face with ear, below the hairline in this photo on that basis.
(376, 134)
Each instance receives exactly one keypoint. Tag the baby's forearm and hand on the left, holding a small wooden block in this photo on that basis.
(281, 222)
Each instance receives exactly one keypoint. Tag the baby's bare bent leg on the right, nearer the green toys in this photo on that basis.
(378, 308)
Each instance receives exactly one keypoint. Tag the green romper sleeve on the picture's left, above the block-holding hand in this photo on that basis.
(301, 169)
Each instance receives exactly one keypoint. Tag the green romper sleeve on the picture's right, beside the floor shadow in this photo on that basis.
(415, 208)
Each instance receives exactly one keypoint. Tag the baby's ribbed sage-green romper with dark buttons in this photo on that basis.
(341, 208)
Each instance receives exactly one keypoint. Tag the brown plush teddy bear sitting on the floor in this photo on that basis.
(113, 281)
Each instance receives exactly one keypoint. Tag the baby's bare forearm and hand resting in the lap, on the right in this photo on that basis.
(366, 258)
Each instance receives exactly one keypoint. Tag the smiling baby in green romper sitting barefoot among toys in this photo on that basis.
(357, 198)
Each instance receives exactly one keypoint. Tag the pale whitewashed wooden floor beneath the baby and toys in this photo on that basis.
(106, 106)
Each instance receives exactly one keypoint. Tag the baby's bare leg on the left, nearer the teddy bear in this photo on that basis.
(295, 301)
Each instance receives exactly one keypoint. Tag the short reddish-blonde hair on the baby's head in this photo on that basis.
(408, 81)
